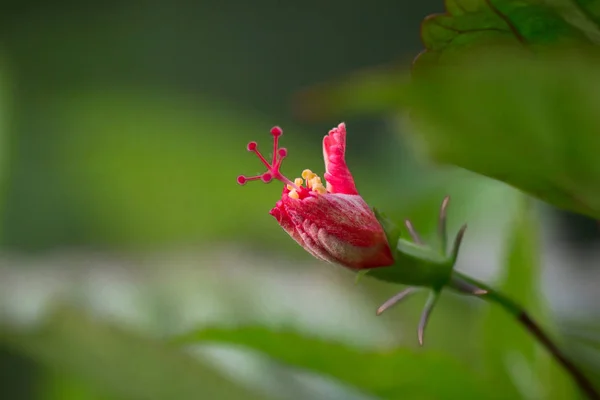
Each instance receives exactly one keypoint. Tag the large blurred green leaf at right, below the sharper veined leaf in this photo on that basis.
(530, 122)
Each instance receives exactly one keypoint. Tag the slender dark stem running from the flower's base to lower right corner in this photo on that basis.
(542, 337)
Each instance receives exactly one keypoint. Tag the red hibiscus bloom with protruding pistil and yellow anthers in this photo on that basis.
(329, 219)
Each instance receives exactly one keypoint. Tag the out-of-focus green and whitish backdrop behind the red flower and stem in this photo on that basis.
(123, 126)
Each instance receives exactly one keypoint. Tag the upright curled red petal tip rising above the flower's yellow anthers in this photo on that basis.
(338, 176)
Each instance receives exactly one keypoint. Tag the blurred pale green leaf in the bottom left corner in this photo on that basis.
(118, 363)
